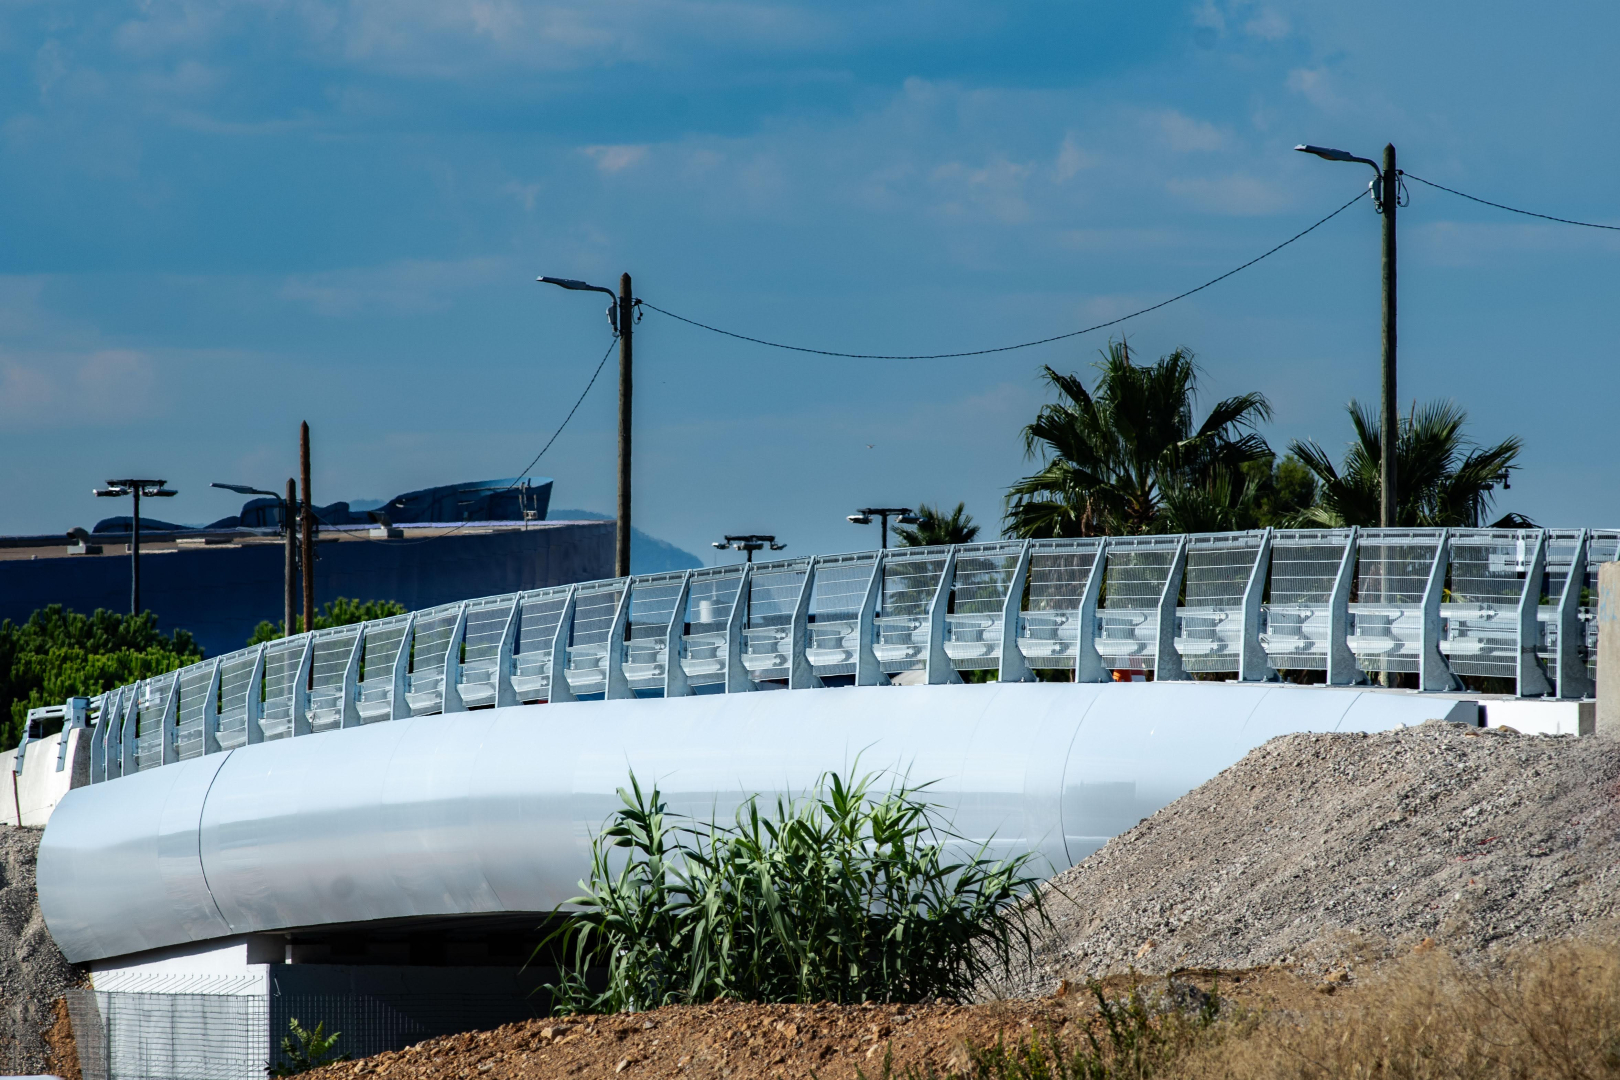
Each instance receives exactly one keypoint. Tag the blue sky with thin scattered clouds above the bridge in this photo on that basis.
(226, 218)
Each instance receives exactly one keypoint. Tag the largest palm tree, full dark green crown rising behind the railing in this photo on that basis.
(1128, 456)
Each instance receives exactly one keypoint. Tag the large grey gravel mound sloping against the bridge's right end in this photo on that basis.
(1323, 853)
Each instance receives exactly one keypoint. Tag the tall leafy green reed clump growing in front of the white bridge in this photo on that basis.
(846, 896)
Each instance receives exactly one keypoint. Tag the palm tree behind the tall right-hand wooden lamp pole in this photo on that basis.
(1443, 478)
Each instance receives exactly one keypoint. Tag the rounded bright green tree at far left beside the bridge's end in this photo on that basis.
(61, 655)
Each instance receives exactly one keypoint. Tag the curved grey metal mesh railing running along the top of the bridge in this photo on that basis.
(1436, 603)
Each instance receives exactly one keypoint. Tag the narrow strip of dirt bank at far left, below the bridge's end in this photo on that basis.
(35, 1034)
